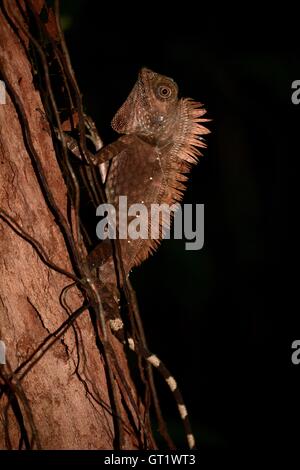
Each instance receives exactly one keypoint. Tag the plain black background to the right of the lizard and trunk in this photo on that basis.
(220, 317)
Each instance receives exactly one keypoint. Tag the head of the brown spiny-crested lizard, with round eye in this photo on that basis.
(151, 108)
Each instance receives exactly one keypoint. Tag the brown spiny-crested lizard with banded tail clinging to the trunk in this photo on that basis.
(161, 137)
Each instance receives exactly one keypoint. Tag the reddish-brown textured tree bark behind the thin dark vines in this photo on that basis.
(57, 410)
